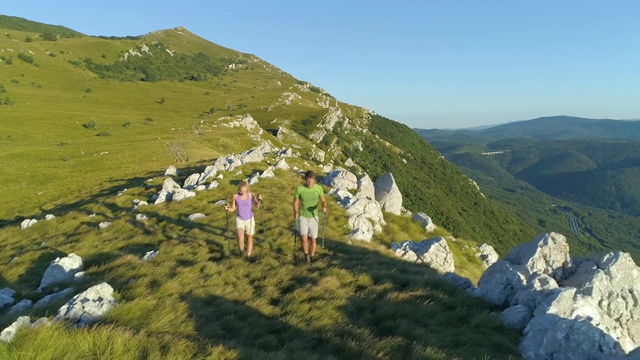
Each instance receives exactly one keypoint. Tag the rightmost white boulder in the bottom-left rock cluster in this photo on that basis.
(89, 306)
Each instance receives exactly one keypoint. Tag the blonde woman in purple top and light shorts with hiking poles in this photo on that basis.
(244, 201)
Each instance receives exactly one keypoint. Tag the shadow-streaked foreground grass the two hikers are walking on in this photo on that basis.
(196, 301)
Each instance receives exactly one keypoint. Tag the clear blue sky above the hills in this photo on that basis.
(427, 64)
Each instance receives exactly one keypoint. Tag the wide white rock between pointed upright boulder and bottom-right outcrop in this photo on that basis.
(434, 253)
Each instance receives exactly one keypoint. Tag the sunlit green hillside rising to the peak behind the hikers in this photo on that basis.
(84, 114)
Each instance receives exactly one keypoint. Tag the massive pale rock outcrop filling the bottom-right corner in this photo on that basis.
(586, 309)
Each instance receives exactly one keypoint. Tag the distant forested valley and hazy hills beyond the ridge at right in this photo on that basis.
(589, 166)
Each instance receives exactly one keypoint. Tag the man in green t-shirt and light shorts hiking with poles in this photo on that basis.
(305, 212)
